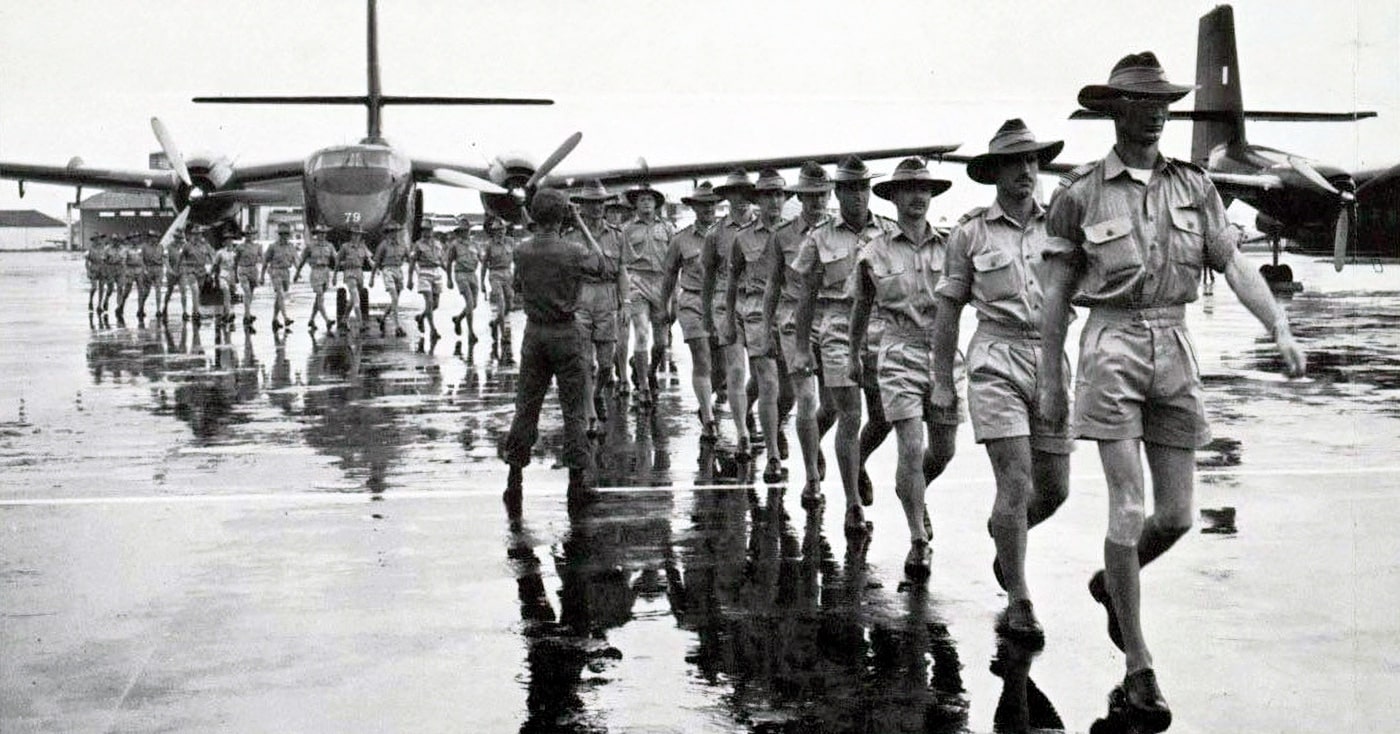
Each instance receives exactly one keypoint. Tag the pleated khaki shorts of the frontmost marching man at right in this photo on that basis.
(1139, 379)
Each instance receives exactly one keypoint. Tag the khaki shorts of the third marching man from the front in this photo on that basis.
(906, 379)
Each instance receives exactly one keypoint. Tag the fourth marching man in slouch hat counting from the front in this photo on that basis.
(822, 330)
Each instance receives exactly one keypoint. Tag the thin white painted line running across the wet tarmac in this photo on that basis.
(355, 498)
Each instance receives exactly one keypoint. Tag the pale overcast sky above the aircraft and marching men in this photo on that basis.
(673, 82)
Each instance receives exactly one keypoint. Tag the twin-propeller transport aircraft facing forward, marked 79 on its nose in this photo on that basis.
(365, 187)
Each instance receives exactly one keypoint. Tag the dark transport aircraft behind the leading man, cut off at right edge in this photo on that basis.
(1318, 207)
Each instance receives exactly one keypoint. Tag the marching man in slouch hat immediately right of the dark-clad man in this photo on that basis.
(601, 300)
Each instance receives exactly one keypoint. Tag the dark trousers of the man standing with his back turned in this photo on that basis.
(549, 351)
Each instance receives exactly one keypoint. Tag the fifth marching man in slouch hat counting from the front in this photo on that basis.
(789, 289)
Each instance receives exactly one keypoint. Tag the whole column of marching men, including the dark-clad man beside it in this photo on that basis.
(815, 313)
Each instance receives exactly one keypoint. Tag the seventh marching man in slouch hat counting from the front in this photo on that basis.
(719, 247)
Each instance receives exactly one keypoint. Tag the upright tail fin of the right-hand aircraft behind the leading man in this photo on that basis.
(1219, 97)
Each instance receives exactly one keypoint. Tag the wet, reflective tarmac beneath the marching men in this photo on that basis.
(244, 533)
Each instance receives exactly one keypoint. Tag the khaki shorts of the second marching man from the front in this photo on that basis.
(1002, 390)
